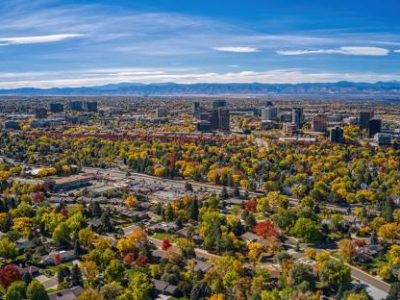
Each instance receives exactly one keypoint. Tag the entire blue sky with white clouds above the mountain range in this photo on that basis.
(71, 43)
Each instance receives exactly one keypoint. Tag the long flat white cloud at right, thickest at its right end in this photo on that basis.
(365, 51)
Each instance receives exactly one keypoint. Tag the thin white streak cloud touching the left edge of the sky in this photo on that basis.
(37, 39)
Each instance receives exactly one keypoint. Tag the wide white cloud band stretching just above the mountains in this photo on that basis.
(80, 78)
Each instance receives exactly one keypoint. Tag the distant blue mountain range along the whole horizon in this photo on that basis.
(169, 89)
